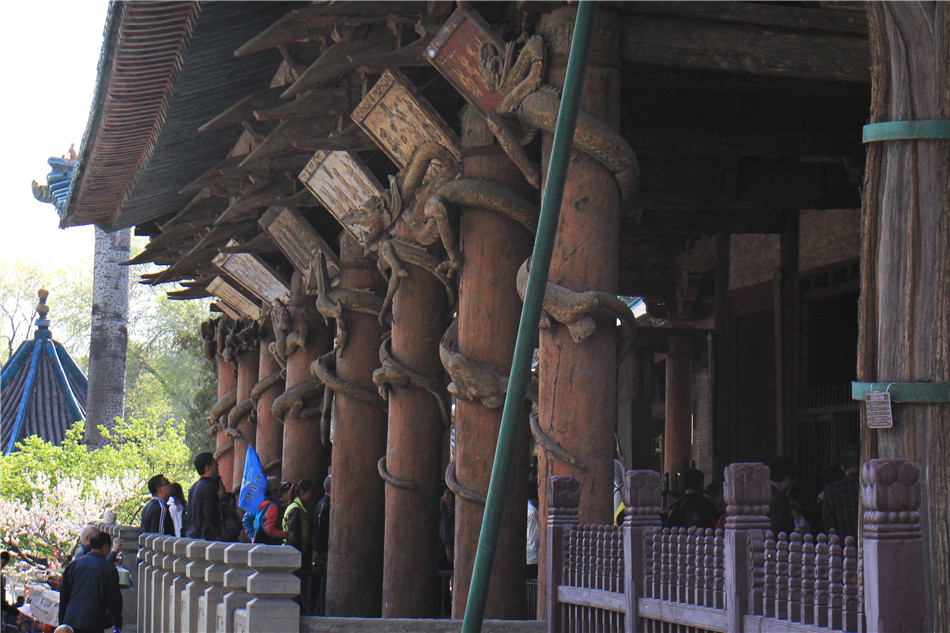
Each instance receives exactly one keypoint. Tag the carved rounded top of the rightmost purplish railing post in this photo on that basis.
(890, 493)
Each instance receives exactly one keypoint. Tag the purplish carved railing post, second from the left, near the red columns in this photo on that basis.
(641, 496)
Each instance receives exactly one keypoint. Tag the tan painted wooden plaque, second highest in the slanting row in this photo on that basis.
(399, 119)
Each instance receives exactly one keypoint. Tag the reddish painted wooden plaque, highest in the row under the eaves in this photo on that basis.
(454, 53)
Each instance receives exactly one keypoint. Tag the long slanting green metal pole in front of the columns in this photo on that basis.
(530, 314)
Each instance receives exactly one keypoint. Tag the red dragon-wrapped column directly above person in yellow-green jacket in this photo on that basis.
(303, 454)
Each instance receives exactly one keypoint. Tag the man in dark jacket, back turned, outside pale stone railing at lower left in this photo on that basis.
(89, 597)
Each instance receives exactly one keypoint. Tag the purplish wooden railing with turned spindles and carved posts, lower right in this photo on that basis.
(646, 578)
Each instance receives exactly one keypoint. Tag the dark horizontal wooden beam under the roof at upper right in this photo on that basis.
(670, 40)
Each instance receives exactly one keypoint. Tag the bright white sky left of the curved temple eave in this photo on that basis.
(49, 75)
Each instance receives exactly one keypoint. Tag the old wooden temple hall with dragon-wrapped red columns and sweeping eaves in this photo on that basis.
(357, 185)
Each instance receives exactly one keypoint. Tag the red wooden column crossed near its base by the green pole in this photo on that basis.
(493, 247)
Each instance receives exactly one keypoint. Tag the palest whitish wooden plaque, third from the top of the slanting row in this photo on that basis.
(340, 181)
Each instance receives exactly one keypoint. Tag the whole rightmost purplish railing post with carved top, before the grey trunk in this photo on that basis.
(893, 550)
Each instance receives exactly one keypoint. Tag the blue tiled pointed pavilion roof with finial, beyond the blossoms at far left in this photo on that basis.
(42, 391)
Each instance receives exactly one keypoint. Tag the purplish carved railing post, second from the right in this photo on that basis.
(747, 494)
